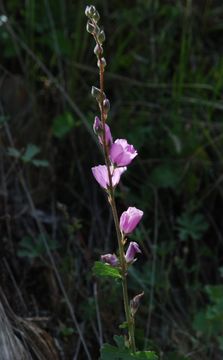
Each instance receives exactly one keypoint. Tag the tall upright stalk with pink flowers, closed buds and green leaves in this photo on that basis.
(118, 155)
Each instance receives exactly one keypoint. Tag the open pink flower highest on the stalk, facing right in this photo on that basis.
(121, 153)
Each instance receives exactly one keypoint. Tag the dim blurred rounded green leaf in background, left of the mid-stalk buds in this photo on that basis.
(63, 124)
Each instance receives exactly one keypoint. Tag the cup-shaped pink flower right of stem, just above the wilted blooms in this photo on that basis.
(130, 219)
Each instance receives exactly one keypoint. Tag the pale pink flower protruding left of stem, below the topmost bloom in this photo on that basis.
(100, 173)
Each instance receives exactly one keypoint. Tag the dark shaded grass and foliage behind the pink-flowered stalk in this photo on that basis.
(164, 79)
